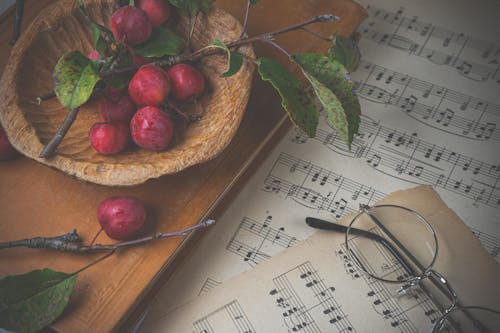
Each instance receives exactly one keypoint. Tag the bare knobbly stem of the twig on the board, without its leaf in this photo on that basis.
(71, 242)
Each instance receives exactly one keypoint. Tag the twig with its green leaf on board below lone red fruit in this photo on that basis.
(31, 301)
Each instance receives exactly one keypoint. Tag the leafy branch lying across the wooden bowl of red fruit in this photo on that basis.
(76, 77)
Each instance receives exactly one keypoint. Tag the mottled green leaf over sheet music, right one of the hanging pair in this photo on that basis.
(335, 77)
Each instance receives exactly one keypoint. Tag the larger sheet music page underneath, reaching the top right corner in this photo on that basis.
(429, 88)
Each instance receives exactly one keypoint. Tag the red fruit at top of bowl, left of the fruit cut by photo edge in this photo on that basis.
(130, 25)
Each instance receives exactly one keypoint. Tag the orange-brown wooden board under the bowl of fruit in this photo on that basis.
(38, 201)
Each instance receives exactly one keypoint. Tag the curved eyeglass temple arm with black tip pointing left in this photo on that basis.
(322, 224)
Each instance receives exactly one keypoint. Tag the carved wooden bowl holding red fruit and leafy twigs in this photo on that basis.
(61, 28)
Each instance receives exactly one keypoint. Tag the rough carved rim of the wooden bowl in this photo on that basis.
(105, 170)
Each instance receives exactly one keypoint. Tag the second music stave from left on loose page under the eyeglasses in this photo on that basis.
(307, 302)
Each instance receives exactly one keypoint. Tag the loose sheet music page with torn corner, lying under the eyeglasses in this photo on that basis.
(314, 287)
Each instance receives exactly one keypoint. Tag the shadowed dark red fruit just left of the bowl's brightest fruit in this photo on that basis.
(116, 106)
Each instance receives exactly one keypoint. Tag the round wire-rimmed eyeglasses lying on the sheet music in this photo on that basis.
(395, 244)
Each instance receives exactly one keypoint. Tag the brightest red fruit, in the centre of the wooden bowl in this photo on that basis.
(149, 86)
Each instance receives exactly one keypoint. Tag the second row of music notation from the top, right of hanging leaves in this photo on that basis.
(436, 106)
